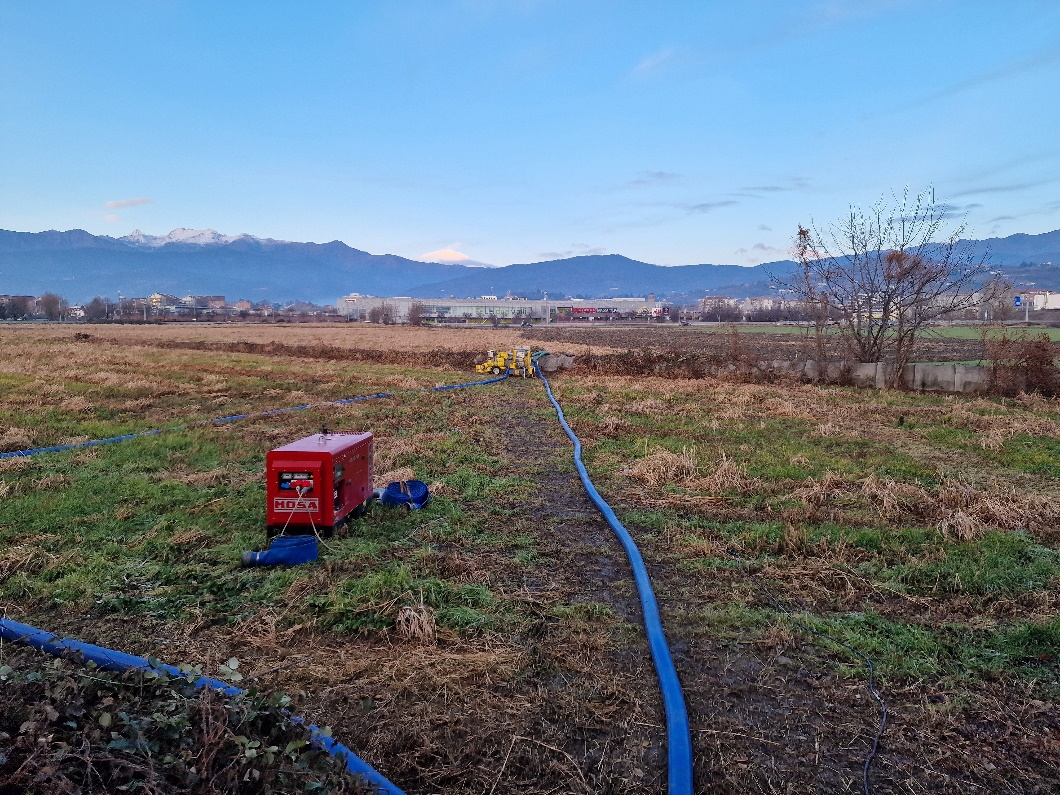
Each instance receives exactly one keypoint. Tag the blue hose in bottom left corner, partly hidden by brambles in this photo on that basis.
(115, 661)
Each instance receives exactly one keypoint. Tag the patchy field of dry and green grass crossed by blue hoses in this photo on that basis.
(492, 643)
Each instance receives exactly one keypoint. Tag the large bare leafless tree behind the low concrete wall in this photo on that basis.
(886, 274)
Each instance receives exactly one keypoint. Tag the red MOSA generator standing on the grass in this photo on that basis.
(319, 483)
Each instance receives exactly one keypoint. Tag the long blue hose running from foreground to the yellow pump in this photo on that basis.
(679, 736)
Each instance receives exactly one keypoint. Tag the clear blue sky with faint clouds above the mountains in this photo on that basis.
(517, 131)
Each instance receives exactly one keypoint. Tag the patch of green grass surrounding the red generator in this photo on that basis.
(133, 535)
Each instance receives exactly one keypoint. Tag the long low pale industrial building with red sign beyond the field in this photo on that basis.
(357, 307)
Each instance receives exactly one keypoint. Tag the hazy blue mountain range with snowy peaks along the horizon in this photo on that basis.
(80, 266)
